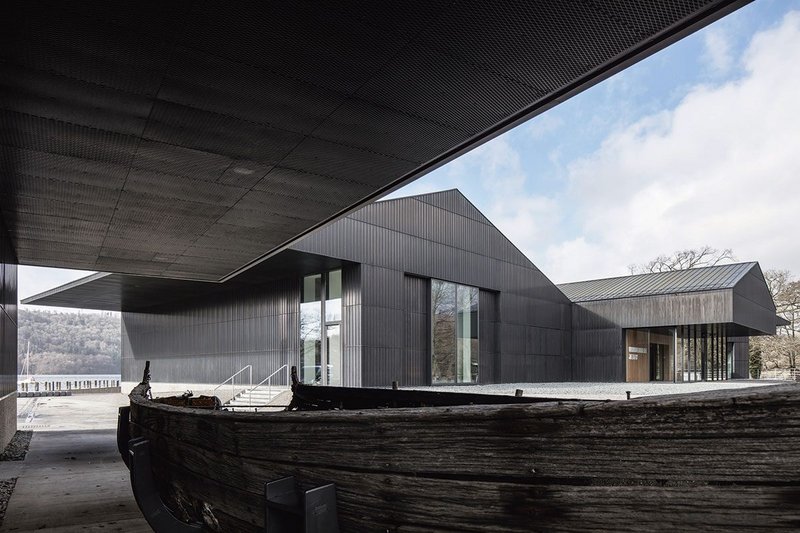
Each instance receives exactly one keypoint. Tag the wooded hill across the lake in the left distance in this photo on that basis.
(69, 343)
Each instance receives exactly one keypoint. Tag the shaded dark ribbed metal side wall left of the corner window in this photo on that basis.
(205, 341)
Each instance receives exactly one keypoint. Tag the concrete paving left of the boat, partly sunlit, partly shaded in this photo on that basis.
(72, 478)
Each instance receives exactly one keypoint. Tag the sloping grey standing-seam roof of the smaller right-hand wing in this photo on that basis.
(677, 281)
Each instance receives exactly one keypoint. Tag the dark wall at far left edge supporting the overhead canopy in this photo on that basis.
(8, 338)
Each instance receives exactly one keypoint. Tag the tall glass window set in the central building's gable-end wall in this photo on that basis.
(455, 346)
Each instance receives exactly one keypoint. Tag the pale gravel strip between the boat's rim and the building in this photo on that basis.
(601, 391)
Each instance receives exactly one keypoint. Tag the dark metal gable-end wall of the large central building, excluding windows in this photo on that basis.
(443, 236)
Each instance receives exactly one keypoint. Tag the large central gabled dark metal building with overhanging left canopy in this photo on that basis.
(371, 295)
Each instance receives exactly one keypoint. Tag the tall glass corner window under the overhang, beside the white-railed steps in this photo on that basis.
(320, 329)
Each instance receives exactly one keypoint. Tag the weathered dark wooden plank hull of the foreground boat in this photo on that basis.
(715, 462)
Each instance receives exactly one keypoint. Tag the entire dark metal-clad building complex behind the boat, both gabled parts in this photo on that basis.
(425, 290)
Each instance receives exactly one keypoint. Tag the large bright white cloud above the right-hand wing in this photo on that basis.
(721, 168)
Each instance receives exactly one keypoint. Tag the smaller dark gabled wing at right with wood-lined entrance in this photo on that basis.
(684, 325)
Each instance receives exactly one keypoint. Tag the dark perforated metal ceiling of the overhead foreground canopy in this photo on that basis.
(186, 139)
